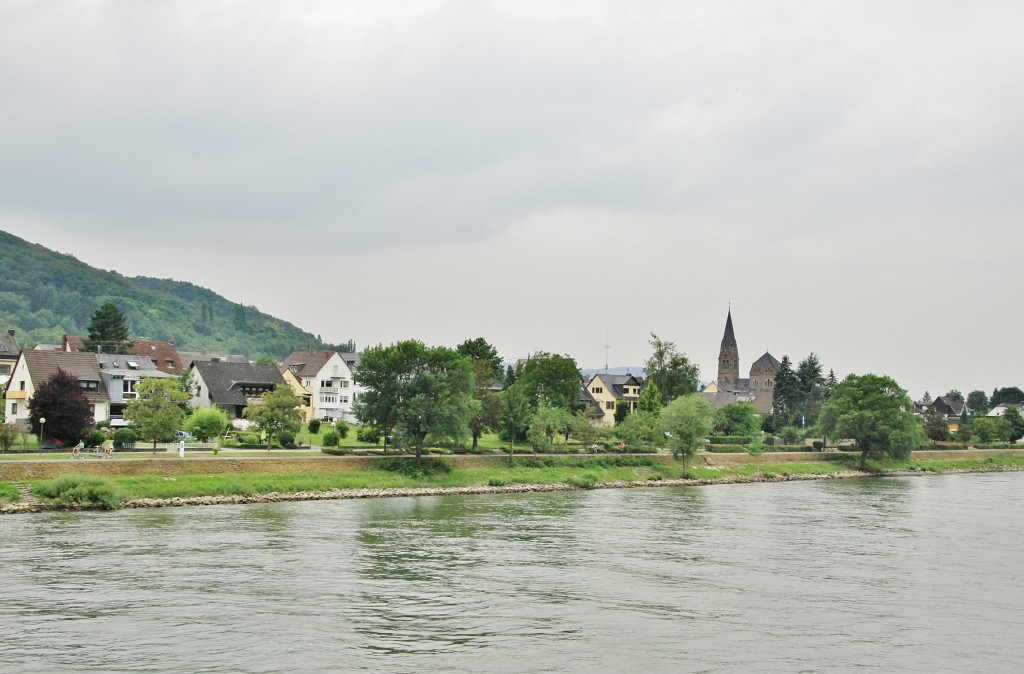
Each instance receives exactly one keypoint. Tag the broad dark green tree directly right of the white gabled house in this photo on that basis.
(418, 391)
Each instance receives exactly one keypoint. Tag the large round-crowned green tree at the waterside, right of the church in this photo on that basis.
(875, 412)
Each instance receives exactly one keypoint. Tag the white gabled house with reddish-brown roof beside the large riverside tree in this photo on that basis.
(326, 375)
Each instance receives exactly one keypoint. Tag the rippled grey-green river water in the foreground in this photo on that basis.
(900, 575)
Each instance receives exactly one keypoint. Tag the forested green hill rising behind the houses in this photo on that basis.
(45, 296)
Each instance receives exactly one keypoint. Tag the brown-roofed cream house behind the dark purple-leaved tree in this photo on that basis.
(34, 368)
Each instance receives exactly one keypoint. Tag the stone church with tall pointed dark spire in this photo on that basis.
(731, 388)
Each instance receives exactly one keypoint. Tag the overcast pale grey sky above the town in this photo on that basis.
(548, 176)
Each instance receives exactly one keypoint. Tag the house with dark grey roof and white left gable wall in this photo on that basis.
(231, 387)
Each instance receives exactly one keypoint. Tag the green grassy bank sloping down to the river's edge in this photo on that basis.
(129, 482)
